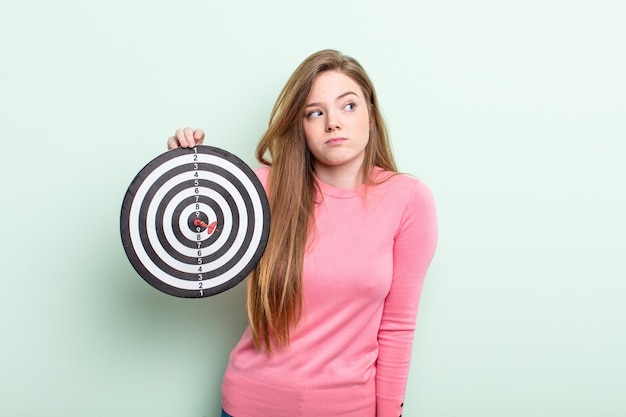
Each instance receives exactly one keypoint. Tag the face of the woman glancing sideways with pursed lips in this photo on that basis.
(336, 123)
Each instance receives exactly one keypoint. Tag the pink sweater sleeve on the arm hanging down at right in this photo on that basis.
(414, 247)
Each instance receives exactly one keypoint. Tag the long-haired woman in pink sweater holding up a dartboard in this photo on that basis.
(333, 302)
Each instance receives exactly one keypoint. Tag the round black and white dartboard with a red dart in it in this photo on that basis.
(195, 222)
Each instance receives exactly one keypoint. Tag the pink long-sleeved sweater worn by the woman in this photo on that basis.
(363, 273)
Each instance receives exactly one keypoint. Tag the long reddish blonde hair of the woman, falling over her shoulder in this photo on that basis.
(275, 286)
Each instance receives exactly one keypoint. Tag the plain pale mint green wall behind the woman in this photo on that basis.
(513, 113)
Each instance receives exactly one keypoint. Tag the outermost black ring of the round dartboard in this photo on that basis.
(125, 220)
